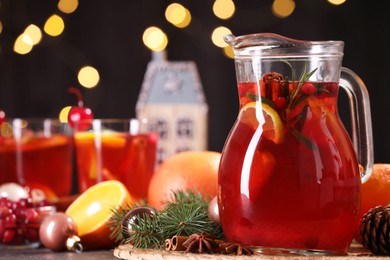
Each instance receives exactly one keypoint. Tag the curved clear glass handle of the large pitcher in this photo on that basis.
(359, 102)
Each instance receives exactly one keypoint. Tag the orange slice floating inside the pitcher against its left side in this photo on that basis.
(271, 123)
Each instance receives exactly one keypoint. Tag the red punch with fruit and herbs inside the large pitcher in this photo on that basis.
(288, 171)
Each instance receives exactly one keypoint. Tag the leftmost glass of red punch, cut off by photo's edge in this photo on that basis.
(38, 154)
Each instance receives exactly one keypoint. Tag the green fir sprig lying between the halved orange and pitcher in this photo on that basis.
(187, 214)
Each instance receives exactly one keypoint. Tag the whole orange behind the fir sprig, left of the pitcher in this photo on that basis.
(184, 171)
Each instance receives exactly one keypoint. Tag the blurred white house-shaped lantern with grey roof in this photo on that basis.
(173, 102)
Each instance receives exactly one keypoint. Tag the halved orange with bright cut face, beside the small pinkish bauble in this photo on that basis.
(92, 212)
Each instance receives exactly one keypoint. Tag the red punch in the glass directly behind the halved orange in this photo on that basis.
(107, 154)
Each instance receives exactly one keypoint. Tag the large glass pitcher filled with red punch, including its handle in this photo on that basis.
(289, 176)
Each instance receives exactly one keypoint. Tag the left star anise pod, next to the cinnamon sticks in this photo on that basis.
(201, 243)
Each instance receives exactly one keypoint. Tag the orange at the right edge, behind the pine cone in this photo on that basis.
(376, 190)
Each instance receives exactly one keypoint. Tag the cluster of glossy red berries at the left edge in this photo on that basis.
(20, 221)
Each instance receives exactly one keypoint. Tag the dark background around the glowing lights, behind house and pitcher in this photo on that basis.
(108, 36)
